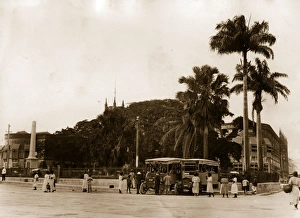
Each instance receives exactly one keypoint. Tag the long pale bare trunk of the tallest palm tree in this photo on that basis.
(246, 165)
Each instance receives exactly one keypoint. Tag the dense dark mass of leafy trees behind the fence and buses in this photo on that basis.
(109, 140)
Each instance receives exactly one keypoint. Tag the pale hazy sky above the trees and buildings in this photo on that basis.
(59, 60)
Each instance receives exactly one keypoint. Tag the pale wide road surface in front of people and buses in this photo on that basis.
(18, 200)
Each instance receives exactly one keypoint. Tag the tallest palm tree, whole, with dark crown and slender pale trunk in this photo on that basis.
(235, 36)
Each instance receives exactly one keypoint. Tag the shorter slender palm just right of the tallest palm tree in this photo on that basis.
(261, 80)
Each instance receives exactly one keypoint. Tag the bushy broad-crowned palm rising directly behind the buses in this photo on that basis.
(204, 99)
